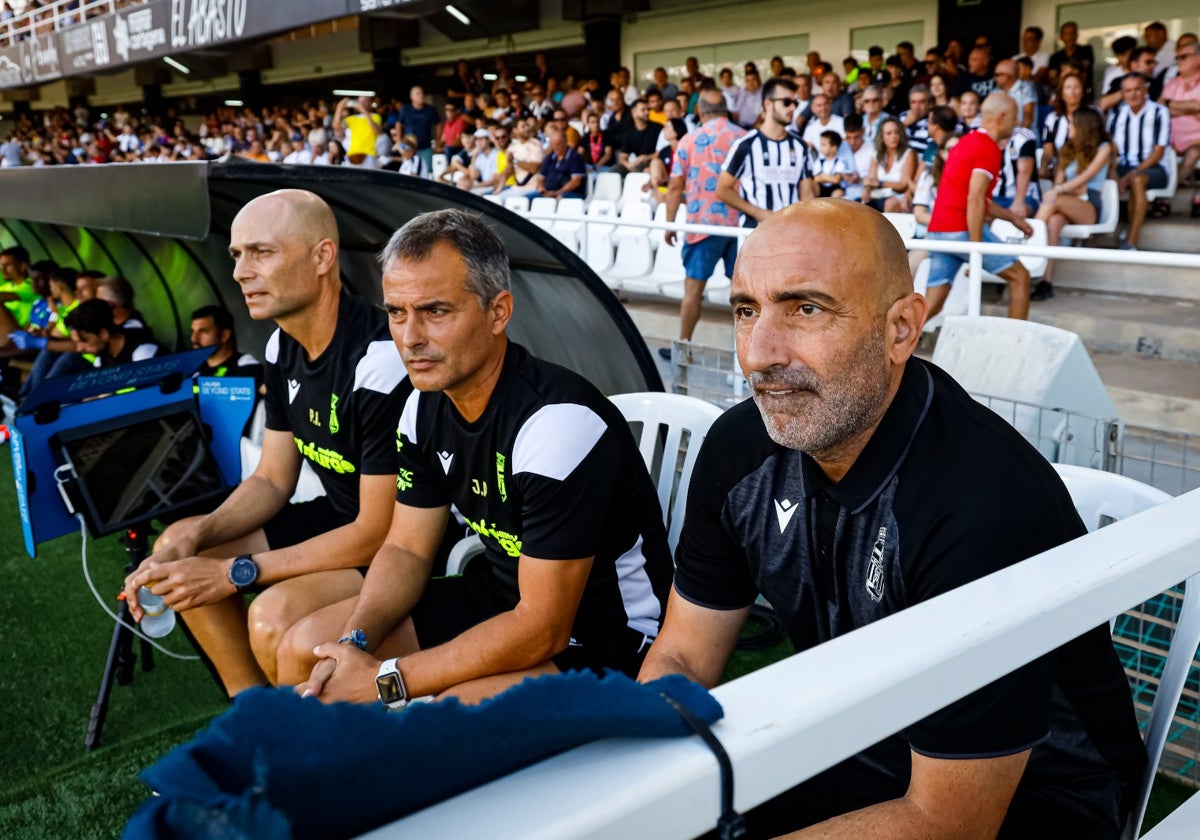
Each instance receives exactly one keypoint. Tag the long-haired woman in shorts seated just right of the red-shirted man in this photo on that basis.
(1079, 184)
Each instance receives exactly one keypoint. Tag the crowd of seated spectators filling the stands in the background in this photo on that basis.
(873, 131)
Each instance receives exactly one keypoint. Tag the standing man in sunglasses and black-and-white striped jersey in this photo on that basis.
(769, 169)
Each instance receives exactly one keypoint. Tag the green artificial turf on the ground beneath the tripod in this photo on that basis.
(56, 640)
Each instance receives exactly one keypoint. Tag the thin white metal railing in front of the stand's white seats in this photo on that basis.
(976, 251)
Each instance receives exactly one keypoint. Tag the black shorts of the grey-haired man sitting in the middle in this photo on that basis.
(453, 605)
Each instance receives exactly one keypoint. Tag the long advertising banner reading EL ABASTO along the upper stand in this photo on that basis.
(155, 29)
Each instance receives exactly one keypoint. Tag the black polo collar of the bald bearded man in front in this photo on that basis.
(887, 448)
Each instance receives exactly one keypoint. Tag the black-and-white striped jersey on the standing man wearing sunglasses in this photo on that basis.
(770, 171)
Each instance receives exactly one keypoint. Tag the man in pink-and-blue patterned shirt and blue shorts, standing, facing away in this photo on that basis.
(695, 173)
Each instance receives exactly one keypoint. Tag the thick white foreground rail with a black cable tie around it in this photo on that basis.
(800, 717)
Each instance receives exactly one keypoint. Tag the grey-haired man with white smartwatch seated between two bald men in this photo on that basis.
(575, 569)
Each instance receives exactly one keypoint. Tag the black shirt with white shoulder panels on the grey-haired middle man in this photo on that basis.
(550, 471)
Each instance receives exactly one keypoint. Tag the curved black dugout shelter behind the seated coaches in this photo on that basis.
(166, 230)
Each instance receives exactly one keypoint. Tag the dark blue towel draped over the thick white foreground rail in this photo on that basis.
(280, 766)
